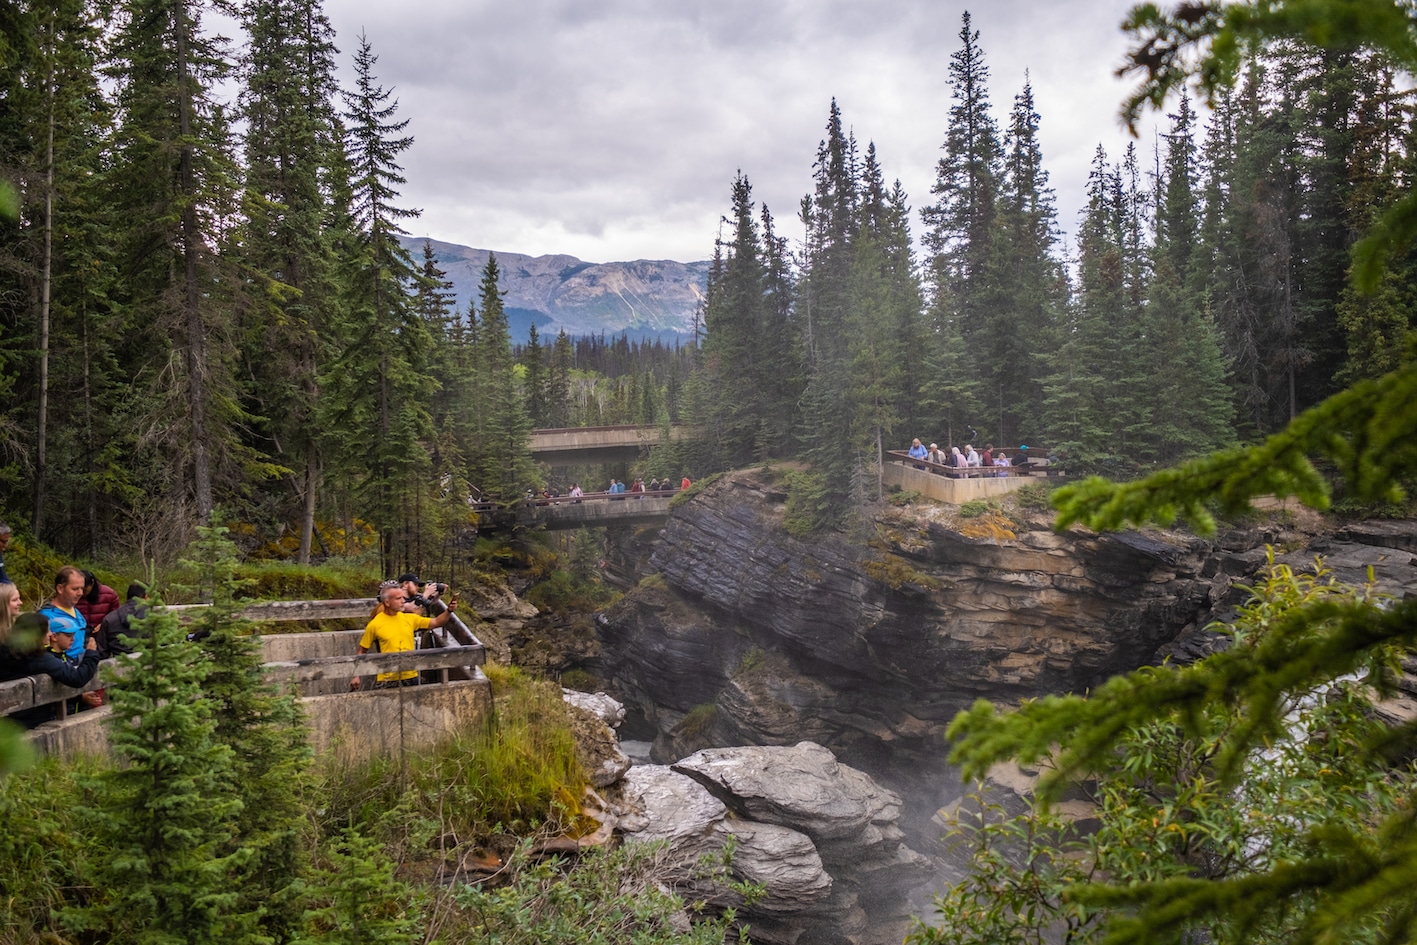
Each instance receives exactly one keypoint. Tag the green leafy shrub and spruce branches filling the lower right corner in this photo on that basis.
(1259, 811)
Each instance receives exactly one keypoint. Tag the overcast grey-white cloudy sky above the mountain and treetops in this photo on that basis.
(611, 130)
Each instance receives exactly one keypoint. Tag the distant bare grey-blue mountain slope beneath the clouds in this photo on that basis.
(644, 298)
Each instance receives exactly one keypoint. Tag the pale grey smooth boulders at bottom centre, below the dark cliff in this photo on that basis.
(818, 839)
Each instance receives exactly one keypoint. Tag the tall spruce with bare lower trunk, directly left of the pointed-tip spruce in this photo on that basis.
(286, 250)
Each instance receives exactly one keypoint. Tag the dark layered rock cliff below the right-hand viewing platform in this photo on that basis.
(871, 644)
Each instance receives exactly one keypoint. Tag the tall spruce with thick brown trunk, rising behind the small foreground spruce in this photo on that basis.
(172, 159)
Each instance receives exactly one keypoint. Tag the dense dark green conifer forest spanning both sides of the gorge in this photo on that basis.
(206, 304)
